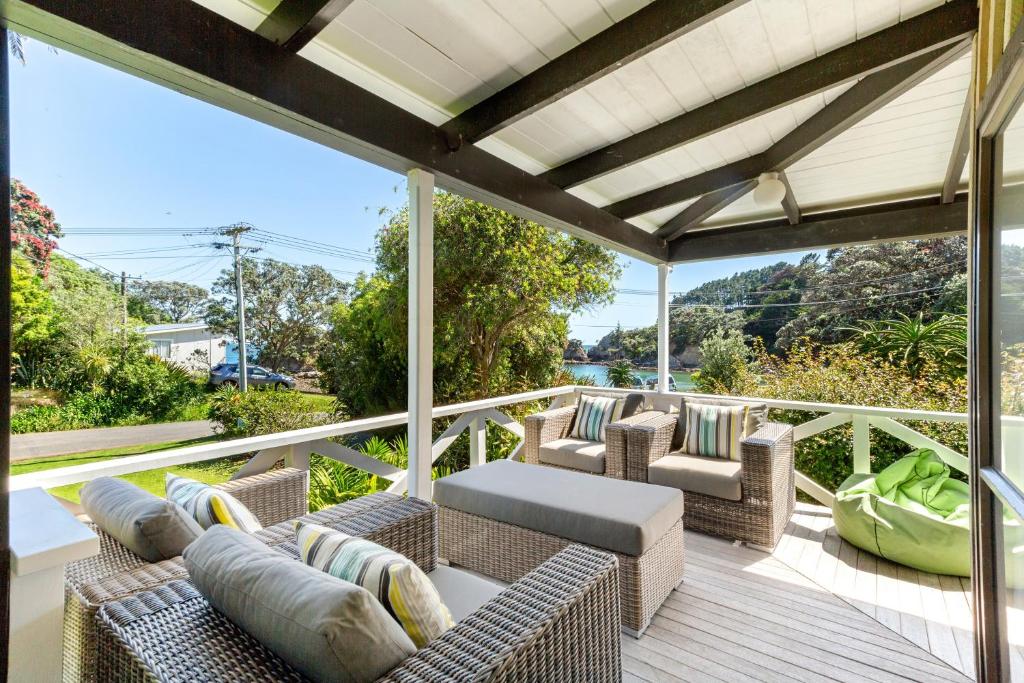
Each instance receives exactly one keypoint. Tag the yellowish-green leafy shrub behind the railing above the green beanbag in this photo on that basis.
(840, 374)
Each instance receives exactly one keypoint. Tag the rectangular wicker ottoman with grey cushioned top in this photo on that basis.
(506, 519)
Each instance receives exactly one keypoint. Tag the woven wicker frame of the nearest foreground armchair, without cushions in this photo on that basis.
(560, 623)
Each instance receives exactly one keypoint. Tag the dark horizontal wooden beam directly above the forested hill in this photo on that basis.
(916, 220)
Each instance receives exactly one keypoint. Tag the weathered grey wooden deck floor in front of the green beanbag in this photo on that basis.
(817, 610)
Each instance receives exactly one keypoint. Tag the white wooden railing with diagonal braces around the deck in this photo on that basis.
(296, 447)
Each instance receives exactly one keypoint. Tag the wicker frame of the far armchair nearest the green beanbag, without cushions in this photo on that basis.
(766, 482)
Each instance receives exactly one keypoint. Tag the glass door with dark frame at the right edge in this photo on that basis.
(998, 375)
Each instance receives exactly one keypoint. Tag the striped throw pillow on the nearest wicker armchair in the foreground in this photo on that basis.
(402, 587)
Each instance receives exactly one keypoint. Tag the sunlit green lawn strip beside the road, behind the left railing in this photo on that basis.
(214, 472)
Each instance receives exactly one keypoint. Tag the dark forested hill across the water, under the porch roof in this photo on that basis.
(818, 297)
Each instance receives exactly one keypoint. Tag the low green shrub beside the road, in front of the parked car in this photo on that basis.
(265, 412)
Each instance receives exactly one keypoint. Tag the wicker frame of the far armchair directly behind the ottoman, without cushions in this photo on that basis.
(554, 425)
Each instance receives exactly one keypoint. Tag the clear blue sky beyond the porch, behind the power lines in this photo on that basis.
(106, 150)
